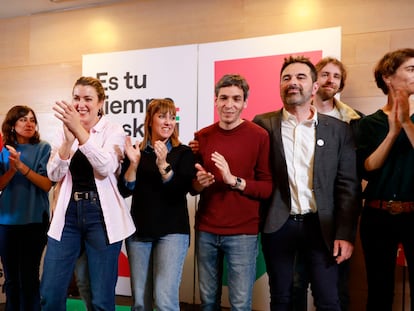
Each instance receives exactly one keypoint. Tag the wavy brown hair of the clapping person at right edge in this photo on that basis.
(389, 64)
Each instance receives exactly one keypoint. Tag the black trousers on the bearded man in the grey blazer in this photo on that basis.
(280, 249)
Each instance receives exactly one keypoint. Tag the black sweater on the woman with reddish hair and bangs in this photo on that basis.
(159, 208)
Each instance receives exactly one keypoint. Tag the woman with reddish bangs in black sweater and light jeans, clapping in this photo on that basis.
(158, 174)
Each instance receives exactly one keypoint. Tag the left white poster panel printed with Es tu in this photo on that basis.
(131, 79)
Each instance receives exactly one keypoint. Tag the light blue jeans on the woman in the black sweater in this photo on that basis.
(156, 267)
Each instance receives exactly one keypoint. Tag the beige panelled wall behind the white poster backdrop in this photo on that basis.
(41, 55)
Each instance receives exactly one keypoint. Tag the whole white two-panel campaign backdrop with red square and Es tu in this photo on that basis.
(187, 74)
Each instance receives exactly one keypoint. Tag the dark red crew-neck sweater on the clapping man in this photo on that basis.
(223, 210)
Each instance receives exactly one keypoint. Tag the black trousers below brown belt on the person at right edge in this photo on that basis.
(381, 232)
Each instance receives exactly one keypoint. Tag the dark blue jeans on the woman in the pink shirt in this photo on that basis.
(83, 226)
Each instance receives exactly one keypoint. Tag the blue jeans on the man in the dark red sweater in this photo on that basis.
(240, 252)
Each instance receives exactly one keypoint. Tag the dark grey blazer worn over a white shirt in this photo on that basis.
(335, 183)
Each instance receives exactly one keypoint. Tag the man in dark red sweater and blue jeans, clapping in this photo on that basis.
(233, 177)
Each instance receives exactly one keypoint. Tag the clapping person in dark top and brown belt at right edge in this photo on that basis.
(386, 158)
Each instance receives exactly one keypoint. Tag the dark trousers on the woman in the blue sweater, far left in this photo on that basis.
(21, 248)
